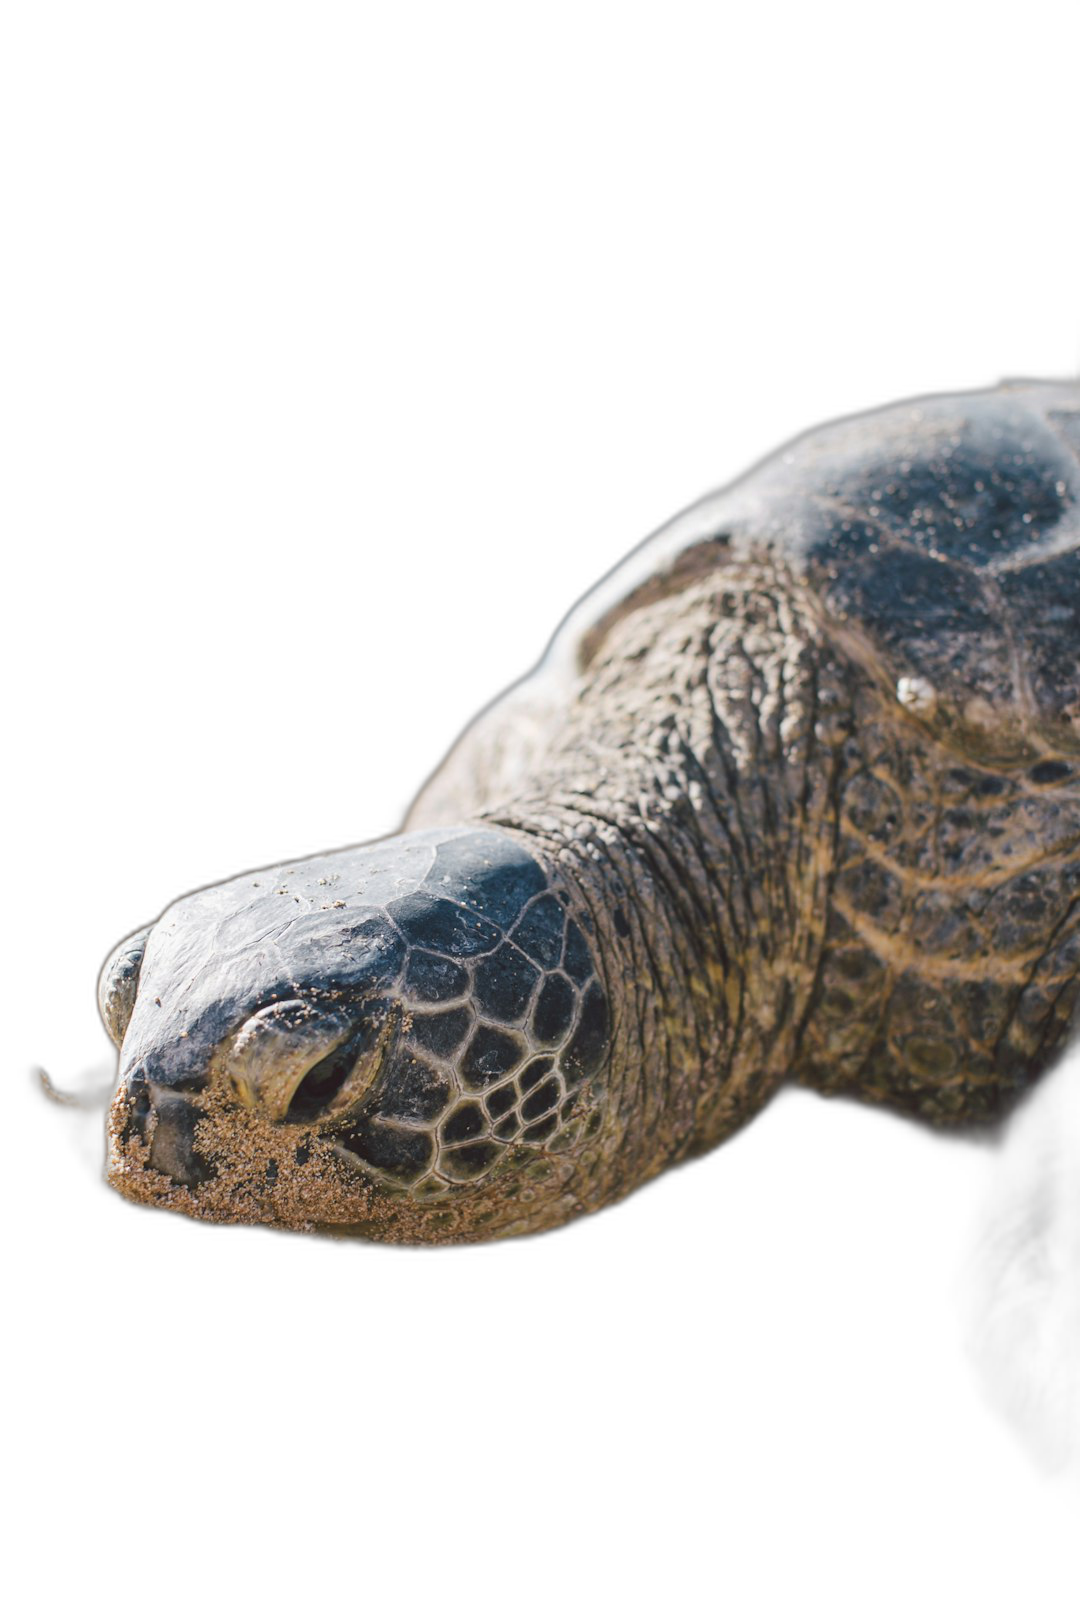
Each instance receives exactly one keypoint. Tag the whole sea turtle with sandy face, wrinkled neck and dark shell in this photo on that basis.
(793, 801)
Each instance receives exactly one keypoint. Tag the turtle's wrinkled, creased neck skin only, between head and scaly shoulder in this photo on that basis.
(689, 801)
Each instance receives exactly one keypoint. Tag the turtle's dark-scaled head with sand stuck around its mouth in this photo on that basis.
(393, 1044)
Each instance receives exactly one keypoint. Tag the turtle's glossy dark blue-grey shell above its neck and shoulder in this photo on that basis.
(943, 542)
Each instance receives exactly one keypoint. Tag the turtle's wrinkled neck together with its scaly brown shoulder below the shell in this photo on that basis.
(797, 879)
